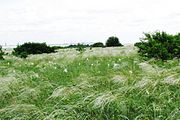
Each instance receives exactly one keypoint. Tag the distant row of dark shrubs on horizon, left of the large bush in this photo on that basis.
(38, 48)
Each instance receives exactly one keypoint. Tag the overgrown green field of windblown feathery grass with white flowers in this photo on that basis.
(99, 84)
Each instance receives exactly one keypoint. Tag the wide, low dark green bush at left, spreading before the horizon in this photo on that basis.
(32, 48)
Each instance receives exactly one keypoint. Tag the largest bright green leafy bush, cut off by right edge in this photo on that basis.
(159, 45)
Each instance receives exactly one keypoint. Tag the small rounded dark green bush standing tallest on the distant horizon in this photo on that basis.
(113, 41)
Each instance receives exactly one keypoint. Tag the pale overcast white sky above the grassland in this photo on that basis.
(73, 21)
